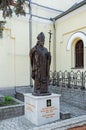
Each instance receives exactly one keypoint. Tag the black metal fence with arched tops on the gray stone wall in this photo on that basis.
(68, 79)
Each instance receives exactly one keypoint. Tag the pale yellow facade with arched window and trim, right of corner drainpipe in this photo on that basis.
(71, 39)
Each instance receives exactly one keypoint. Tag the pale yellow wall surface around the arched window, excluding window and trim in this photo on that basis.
(65, 28)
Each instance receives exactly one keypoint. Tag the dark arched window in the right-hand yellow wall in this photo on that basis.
(79, 54)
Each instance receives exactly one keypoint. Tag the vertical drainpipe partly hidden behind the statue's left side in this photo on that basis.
(30, 34)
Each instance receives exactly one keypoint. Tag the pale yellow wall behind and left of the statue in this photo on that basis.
(15, 47)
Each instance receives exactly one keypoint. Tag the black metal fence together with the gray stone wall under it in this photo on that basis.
(71, 86)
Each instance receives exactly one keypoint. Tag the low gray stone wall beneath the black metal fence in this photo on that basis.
(76, 97)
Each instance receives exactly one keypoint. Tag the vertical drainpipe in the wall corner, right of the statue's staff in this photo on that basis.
(54, 45)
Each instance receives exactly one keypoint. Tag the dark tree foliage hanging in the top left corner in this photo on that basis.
(10, 6)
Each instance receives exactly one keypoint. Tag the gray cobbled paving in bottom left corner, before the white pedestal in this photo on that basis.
(17, 123)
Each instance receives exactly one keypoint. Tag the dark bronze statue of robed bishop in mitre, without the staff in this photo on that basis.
(40, 62)
